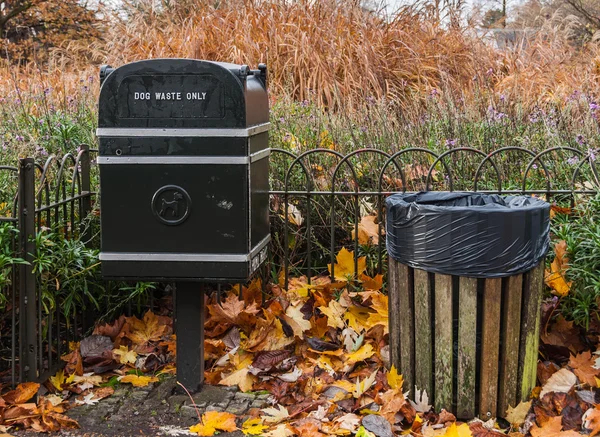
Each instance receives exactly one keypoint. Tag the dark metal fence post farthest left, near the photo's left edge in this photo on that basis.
(27, 287)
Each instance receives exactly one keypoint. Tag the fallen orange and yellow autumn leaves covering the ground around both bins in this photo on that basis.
(321, 351)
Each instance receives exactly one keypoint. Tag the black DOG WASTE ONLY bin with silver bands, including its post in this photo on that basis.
(184, 182)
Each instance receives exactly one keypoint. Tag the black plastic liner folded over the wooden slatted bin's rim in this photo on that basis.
(468, 234)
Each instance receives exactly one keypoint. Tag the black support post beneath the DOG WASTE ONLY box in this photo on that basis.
(189, 328)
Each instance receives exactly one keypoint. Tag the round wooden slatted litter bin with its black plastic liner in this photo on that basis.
(465, 290)
